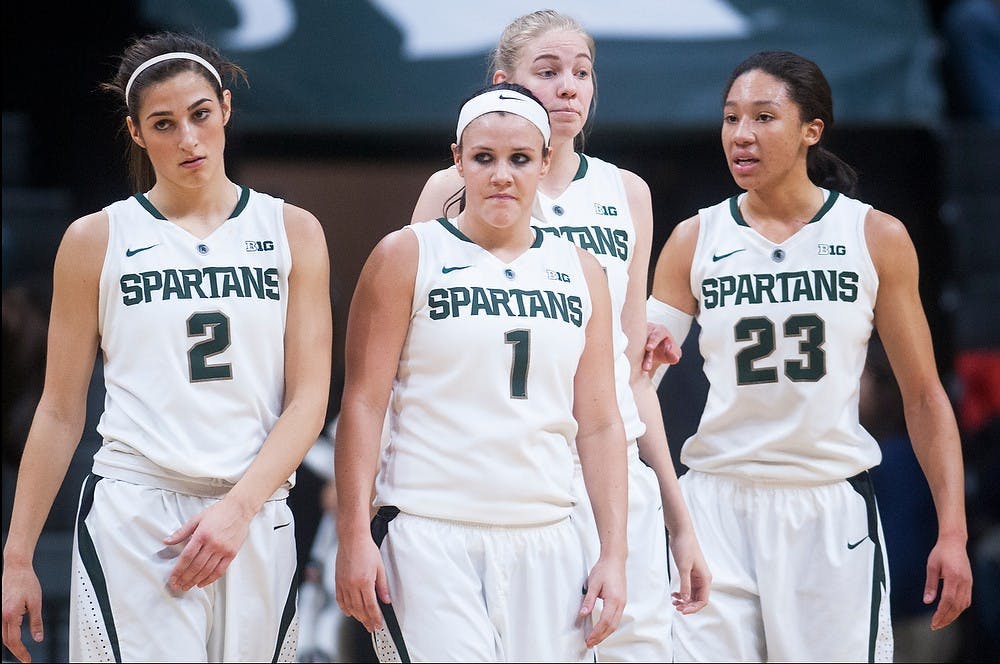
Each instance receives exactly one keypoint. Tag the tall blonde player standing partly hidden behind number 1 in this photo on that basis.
(607, 211)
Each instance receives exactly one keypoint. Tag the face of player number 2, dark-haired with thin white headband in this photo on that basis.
(181, 124)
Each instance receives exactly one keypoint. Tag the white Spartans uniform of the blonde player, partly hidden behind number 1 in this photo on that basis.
(593, 213)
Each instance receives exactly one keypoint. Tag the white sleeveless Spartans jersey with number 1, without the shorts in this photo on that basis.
(481, 420)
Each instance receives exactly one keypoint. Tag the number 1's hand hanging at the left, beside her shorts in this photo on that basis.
(361, 582)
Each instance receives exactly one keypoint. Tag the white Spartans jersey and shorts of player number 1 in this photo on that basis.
(475, 486)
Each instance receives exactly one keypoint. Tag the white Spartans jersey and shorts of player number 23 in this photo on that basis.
(778, 487)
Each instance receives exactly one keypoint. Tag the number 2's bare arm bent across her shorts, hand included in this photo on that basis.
(216, 535)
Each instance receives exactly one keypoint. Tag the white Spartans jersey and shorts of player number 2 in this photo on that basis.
(192, 334)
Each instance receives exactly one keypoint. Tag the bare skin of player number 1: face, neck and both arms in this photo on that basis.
(501, 161)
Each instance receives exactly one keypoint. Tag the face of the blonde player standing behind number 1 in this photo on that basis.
(558, 69)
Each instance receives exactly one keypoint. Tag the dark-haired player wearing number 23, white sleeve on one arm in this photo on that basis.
(788, 280)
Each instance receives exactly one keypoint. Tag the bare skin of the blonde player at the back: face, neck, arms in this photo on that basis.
(558, 69)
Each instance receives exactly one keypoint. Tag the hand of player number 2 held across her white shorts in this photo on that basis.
(214, 537)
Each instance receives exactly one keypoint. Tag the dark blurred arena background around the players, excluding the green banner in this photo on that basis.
(62, 159)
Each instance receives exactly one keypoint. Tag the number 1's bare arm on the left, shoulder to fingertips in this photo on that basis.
(376, 329)
